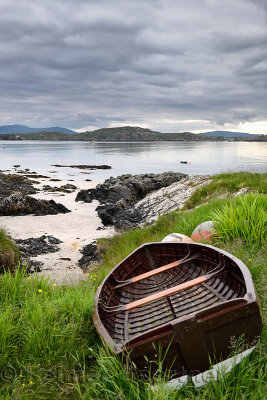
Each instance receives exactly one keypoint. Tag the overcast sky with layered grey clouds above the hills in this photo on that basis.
(169, 65)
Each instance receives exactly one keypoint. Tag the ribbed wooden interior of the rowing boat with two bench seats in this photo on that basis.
(161, 282)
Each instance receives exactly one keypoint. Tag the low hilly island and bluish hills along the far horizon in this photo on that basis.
(123, 133)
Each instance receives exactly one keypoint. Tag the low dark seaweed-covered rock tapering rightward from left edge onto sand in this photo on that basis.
(20, 204)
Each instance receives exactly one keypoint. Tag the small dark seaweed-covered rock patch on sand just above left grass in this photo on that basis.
(35, 246)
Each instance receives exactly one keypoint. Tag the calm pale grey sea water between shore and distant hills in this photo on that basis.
(134, 157)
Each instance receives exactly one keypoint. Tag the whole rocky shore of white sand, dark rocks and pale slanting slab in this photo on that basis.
(60, 239)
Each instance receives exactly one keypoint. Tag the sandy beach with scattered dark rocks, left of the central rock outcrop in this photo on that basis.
(50, 235)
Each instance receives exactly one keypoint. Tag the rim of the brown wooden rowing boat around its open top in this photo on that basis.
(250, 295)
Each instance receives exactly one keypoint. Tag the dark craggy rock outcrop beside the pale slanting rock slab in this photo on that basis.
(118, 195)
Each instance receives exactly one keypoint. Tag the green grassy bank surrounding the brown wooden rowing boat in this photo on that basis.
(49, 348)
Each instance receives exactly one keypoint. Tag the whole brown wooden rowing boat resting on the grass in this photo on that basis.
(185, 300)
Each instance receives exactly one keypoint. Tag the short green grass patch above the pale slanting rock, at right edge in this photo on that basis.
(227, 183)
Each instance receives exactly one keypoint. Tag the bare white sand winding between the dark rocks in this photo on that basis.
(76, 229)
